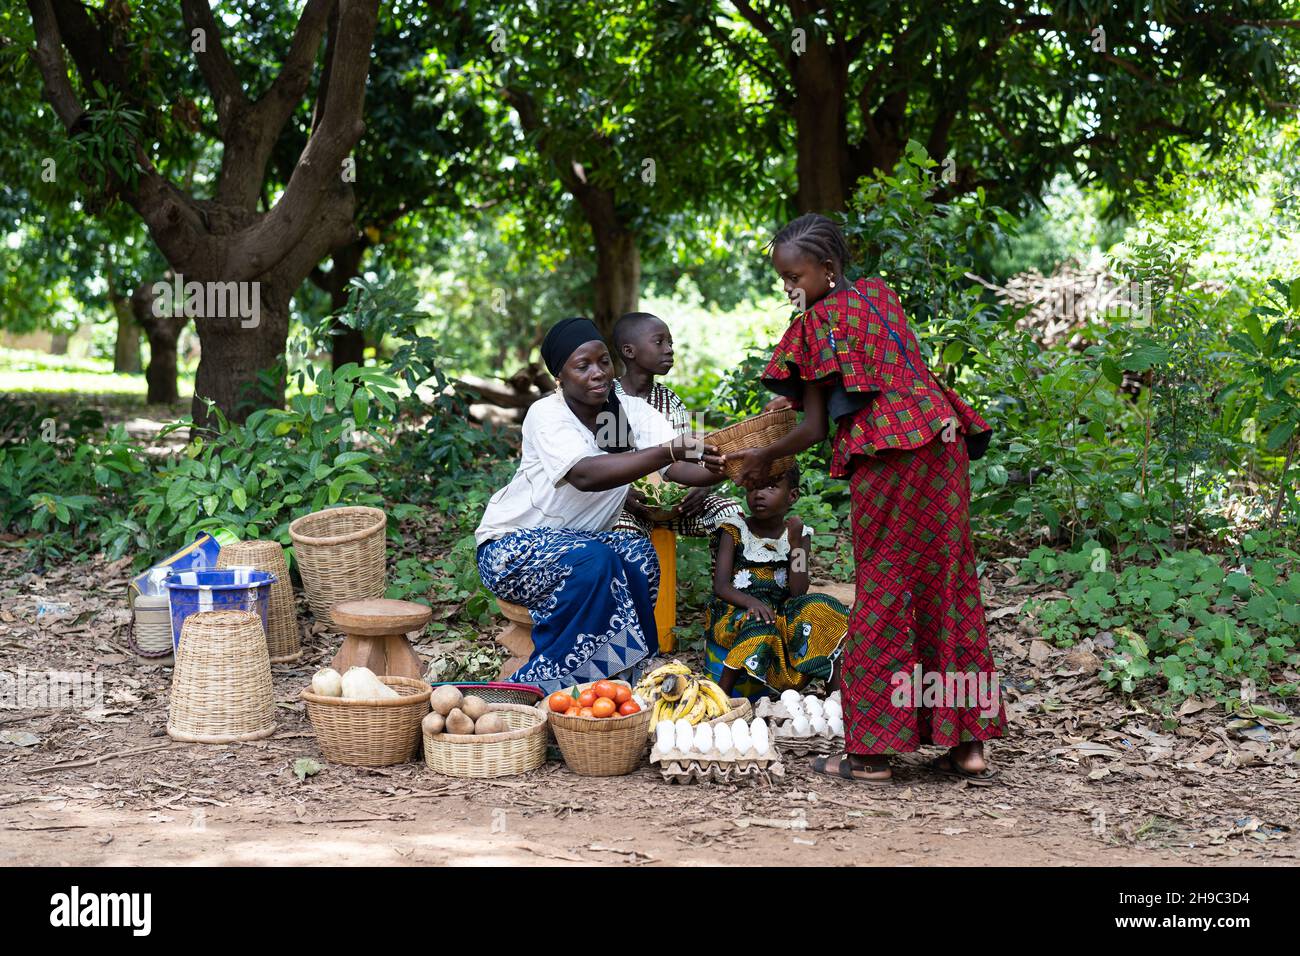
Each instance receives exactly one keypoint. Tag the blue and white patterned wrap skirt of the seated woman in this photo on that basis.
(591, 596)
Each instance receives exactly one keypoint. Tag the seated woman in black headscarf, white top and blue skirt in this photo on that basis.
(545, 540)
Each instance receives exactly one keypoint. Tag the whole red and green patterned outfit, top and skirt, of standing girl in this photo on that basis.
(899, 440)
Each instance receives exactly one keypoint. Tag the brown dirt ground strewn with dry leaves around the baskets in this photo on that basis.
(1086, 778)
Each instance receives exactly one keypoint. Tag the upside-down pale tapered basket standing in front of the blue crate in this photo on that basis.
(222, 685)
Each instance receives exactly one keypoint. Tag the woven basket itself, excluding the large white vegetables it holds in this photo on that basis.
(371, 733)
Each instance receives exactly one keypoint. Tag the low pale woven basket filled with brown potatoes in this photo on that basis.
(467, 737)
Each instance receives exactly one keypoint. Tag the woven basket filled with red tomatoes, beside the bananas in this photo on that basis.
(600, 728)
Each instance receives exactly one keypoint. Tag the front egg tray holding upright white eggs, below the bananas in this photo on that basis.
(731, 752)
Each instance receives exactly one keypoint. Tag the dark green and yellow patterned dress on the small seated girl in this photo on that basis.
(804, 642)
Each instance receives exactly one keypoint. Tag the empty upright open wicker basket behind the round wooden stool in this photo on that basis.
(341, 555)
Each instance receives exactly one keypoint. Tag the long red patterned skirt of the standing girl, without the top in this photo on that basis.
(917, 663)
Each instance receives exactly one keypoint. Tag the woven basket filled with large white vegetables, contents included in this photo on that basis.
(366, 721)
